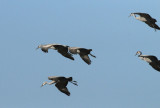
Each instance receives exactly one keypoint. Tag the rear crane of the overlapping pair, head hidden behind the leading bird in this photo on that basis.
(83, 52)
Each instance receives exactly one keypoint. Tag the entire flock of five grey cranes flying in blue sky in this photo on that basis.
(68, 52)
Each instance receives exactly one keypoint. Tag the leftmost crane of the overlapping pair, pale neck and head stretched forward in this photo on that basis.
(62, 49)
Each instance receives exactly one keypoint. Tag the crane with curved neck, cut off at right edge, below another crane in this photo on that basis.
(152, 60)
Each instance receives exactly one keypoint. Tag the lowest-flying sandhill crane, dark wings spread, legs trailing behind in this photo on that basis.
(61, 83)
